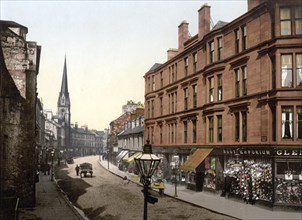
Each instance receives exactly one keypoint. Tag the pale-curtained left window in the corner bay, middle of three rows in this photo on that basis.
(287, 70)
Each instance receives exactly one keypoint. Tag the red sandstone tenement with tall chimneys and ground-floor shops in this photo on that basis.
(227, 107)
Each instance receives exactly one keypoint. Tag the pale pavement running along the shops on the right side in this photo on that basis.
(214, 202)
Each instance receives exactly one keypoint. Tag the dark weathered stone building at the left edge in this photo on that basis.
(18, 95)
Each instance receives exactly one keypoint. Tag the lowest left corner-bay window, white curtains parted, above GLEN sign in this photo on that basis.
(287, 123)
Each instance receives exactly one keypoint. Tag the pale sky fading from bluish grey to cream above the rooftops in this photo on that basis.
(109, 46)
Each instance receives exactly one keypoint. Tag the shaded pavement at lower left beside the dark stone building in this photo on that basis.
(51, 203)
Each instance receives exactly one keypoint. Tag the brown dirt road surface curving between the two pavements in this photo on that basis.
(104, 196)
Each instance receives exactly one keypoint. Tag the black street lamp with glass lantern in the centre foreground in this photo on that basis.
(146, 164)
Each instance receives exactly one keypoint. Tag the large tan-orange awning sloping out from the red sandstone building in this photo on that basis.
(193, 162)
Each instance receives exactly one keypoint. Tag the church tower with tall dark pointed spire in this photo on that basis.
(64, 109)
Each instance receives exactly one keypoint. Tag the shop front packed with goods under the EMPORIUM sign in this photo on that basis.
(248, 174)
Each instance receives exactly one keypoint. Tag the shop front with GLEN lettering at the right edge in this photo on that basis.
(288, 177)
